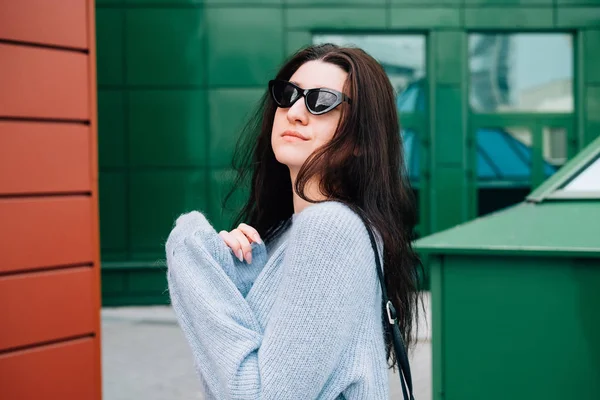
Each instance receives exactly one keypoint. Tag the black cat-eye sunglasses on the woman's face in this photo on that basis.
(318, 101)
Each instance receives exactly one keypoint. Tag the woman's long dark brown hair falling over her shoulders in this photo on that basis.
(362, 166)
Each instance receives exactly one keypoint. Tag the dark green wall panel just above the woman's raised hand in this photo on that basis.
(223, 215)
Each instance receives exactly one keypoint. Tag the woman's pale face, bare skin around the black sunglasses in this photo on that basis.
(315, 130)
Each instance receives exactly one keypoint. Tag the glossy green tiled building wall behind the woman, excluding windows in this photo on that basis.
(177, 79)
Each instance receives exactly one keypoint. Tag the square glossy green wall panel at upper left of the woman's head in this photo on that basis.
(245, 45)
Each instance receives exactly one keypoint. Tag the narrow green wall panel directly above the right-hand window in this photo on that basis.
(509, 18)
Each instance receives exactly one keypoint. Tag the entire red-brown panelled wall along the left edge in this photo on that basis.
(49, 228)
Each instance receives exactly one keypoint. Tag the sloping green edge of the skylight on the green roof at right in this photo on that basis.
(560, 178)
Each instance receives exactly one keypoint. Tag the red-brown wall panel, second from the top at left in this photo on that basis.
(44, 83)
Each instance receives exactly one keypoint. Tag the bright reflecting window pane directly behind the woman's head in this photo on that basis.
(402, 58)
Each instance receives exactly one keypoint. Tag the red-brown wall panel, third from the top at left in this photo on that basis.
(40, 157)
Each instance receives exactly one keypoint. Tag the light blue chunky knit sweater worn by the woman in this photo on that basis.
(304, 324)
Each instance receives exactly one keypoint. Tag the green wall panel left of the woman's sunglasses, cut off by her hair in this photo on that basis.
(229, 111)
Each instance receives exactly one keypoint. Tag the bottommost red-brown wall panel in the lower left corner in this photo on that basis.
(59, 371)
